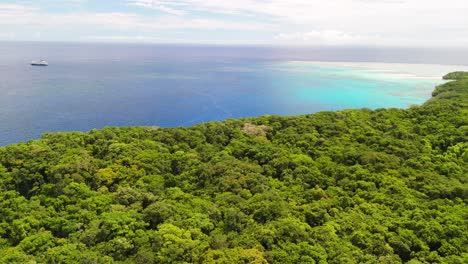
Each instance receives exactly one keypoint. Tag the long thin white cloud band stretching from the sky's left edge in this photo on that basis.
(24, 16)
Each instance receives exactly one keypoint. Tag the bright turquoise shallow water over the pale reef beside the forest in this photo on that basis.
(338, 87)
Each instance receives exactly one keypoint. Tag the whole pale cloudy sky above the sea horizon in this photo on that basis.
(272, 22)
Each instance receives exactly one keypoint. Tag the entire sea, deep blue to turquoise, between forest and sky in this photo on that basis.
(91, 86)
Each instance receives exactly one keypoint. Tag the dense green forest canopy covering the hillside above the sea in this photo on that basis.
(352, 186)
